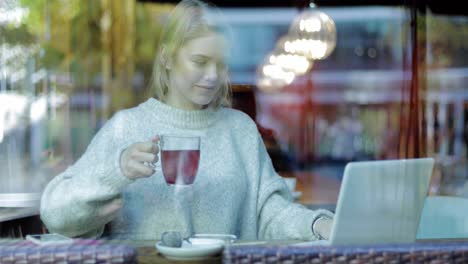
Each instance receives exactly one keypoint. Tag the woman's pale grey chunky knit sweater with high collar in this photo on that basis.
(236, 190)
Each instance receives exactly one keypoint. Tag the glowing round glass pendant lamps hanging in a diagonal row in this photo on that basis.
(311, 36)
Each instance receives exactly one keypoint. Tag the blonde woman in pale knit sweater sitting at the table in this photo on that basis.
(236, 190)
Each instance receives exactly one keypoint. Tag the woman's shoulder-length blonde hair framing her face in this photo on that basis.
(188, 21)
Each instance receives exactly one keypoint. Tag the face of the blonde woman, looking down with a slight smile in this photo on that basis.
(197, 72)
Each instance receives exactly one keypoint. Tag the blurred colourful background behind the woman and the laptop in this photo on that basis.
(394, 85)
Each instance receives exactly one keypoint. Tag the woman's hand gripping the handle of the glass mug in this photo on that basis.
(133, 158)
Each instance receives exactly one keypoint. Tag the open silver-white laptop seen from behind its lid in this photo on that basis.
(380, 202)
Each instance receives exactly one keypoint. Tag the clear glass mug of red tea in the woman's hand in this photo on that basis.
(179, 158)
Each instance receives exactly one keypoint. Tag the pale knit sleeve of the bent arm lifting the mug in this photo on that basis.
(71, 203)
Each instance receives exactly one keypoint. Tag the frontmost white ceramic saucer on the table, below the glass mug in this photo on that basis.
(197, 249)
